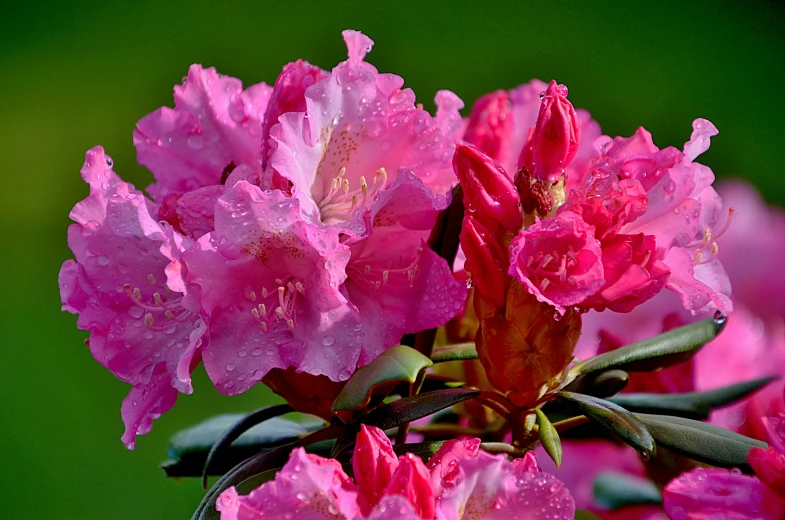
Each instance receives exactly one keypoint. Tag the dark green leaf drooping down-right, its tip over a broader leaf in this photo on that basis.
(615, 419)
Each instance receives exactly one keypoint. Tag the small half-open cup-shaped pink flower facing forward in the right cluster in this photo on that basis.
(558, 260)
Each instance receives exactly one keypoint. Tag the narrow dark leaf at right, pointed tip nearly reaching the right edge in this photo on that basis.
(693, 405)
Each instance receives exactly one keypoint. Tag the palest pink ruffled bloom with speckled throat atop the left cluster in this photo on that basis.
(357, 123)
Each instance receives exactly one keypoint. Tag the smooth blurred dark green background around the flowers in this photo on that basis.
(80, 74)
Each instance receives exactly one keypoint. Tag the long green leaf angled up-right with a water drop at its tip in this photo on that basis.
(653, 354)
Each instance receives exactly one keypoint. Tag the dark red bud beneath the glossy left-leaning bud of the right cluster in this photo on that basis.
(485, 260)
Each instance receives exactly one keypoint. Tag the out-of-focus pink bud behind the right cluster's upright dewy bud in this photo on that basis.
(490, 125)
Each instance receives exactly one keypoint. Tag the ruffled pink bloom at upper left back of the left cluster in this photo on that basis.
(214, 123)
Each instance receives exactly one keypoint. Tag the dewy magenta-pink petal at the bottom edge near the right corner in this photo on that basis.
(704, 494)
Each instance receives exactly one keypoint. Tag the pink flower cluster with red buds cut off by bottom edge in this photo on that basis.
(459, 482)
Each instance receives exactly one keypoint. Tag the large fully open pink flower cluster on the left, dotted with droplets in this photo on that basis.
(287, 228)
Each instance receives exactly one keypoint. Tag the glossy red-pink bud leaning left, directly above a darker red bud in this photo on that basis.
(488, 193)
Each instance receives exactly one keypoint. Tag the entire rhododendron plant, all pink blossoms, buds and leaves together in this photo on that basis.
(315, 235)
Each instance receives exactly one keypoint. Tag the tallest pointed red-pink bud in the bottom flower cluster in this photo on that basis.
(374, 463)
